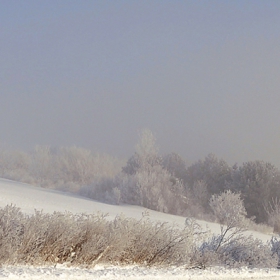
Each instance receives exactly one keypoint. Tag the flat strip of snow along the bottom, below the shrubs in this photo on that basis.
(136, 273)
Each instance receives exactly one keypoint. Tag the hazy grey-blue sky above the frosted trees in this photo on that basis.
(204, 76)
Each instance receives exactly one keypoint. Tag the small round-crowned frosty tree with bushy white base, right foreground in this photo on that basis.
(231, 247)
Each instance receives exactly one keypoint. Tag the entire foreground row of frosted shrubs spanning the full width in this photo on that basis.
(85, 240)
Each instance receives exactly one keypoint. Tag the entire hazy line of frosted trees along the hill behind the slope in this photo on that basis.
(163, 183)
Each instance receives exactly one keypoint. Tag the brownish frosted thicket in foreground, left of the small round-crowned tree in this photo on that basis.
(88, 239)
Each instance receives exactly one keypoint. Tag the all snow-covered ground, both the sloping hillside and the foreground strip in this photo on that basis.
(29, 198)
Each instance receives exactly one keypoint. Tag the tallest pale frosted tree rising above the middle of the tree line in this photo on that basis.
(152, 183)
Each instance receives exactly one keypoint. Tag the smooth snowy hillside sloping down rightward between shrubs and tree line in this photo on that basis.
(28, 198)
